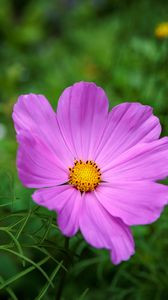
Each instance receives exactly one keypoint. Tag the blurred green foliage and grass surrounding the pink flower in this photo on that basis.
(46, 46)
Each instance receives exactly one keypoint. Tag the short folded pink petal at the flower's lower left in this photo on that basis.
(66, 201)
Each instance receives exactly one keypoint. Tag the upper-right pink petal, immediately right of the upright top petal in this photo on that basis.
(128, 124)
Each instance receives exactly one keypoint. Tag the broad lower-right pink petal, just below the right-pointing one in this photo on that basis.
(136, 203)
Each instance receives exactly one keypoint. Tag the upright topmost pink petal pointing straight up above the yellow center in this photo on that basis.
(82, 115)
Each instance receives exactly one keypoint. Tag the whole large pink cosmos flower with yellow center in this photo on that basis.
(97, 169)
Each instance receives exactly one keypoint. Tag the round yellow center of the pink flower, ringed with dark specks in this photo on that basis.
(85, 176)
